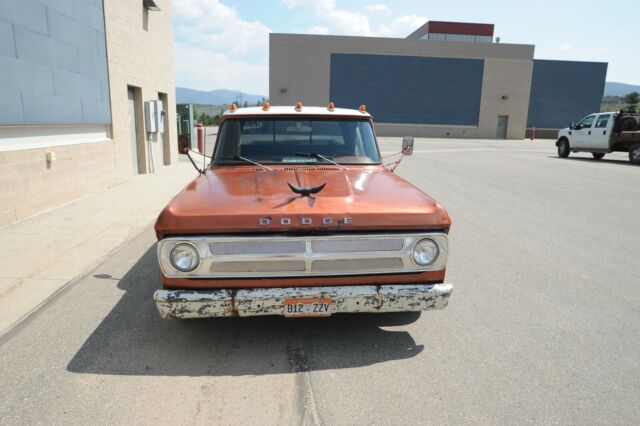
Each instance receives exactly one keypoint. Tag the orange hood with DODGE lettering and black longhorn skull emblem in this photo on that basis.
(249, 199)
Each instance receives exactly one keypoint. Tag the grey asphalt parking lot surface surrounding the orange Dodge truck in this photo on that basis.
(543, 325)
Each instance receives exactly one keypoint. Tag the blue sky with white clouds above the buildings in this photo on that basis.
(223, 44)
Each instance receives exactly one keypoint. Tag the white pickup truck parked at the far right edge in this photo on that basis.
(602, 133)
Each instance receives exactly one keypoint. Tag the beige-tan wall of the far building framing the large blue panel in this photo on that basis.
(299, 68)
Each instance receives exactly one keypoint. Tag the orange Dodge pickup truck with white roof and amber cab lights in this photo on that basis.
(296, 215)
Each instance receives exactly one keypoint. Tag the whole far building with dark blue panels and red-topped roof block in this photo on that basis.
(446, 79)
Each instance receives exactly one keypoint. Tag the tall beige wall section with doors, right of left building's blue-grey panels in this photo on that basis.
(140, 54)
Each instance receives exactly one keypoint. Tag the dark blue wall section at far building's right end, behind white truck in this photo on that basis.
(564, 91)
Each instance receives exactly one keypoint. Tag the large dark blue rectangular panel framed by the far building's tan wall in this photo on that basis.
(409, 89)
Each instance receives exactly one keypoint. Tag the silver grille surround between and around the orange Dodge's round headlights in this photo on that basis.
(291, 256)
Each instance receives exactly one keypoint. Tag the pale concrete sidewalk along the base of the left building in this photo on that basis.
(43, 253)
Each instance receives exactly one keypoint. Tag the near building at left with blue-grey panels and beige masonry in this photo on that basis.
(75, 79)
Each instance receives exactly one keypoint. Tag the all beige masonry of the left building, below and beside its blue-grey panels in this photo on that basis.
(140, 53)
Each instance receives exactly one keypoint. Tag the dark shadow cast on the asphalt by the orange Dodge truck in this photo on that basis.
(134, 340)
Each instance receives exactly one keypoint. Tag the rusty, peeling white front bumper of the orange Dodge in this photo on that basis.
(271, 301)
